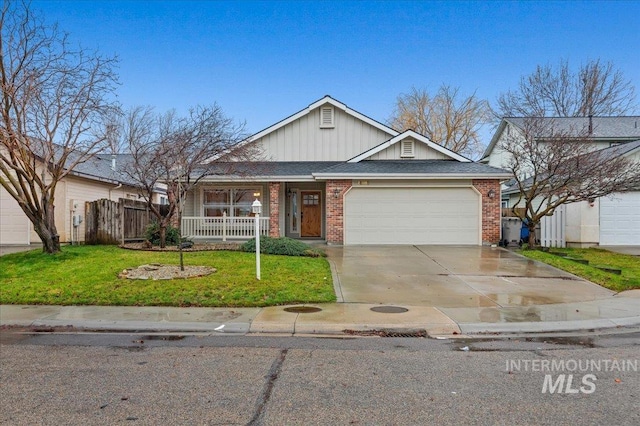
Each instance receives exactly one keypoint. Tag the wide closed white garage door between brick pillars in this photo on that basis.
(412, 216)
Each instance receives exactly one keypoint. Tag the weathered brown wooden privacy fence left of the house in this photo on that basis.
(116, 222)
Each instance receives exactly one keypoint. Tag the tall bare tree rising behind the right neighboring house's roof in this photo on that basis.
(597, 88)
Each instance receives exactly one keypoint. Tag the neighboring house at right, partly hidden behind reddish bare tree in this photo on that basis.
(606, 221)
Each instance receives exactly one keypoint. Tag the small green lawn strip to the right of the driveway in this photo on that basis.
(630, 266)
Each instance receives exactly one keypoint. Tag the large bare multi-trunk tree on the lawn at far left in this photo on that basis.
(53, 100)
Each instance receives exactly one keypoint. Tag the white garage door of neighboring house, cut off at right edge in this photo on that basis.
(620, 220)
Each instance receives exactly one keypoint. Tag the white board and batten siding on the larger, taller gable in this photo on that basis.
(304, 139)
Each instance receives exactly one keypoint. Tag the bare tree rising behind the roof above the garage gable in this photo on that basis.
(446, 118)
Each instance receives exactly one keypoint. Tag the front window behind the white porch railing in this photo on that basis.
(231, 201)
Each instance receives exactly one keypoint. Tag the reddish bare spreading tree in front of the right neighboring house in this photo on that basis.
(555, 166)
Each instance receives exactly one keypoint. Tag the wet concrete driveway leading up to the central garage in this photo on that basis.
(453, 277)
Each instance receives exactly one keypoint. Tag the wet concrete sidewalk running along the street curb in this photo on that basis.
(621, 310)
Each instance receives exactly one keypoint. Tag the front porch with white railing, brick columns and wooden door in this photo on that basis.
(309, 211)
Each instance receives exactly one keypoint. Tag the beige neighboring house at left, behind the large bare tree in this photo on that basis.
(98, 178)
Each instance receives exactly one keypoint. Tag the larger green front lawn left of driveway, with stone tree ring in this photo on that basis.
(88, 275)
